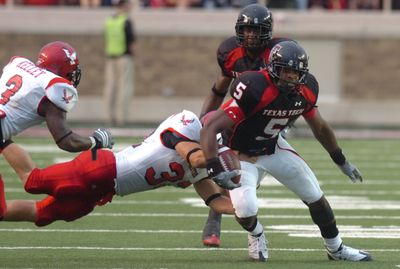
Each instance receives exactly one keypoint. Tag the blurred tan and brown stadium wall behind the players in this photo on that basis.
(355, 55)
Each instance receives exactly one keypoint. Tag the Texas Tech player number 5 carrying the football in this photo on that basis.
(263, 103)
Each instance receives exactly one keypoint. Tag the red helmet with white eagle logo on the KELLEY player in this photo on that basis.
(61, 59)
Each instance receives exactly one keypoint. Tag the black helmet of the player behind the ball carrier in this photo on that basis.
(259, 19)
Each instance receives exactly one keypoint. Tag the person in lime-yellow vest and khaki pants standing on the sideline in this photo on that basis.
(119, 67)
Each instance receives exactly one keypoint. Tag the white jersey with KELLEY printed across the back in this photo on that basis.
(23, 86)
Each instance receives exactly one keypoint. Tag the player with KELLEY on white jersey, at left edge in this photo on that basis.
(45, 91)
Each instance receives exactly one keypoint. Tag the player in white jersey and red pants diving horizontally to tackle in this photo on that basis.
(170, 156)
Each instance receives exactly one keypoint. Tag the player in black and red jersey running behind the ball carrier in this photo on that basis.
(248, 50)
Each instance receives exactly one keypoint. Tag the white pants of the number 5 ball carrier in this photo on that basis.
(287, 167)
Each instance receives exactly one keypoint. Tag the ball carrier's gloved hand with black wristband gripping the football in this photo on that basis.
(221, 177)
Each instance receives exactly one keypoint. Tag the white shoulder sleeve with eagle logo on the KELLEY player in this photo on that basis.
(62, 94)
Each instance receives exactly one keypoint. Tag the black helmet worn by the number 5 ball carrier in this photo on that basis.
(287, 55)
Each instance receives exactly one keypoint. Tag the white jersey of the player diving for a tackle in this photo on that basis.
(152, 164)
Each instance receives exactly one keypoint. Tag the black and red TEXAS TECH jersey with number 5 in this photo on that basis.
(261, 111)
